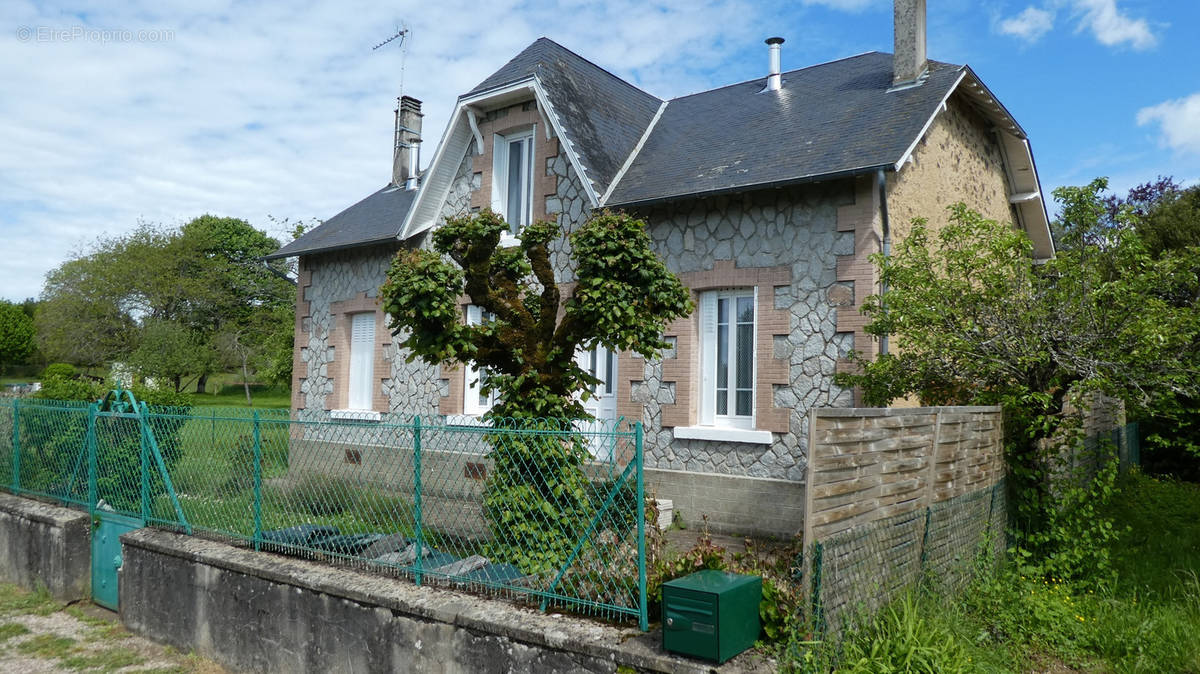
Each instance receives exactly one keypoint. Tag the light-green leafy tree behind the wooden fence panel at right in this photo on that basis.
(977, 323)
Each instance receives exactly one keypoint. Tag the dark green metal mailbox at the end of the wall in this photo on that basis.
(711, 615)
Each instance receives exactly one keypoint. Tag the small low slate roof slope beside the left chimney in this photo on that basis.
(374, 220)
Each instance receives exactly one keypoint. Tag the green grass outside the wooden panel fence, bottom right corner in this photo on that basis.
(1147, 618)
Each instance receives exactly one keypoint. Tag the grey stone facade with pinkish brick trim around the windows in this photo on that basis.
(806, 251)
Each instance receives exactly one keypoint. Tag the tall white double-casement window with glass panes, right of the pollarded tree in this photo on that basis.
(728, 358)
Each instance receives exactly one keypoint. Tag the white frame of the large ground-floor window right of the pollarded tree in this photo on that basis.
(709, 348)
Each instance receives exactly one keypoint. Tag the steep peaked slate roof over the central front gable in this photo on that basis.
(603, 117)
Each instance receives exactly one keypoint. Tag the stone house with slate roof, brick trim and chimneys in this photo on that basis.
(766, 197)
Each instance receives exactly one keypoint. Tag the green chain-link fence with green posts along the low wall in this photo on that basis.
(544, 510)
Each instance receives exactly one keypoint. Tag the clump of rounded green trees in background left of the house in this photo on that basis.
(167, 299)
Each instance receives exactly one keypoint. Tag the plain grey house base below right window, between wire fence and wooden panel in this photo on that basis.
(735, 505)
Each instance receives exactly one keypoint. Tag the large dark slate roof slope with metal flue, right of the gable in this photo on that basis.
(827, 121)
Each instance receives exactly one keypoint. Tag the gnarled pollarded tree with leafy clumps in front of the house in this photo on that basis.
(622, 299)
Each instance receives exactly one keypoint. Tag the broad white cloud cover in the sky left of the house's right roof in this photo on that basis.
(254, 110)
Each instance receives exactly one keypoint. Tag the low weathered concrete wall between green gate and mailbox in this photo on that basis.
(259, 612)
